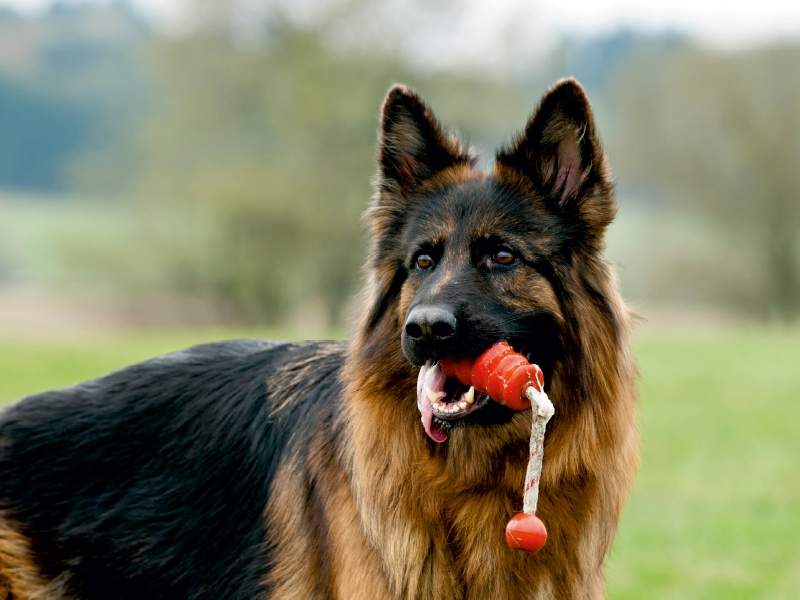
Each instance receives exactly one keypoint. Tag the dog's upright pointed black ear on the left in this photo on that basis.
(413, 145)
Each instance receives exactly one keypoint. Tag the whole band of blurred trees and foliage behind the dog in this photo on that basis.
(217, 172)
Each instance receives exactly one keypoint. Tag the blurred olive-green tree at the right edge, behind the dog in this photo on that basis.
(721, 132)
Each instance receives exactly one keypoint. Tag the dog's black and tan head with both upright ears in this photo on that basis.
(463, 258)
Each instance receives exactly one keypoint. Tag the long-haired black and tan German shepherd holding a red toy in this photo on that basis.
(256, 469)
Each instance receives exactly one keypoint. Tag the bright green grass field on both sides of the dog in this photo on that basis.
(716, 508)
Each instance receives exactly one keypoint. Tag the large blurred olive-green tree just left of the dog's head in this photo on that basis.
(269, 143)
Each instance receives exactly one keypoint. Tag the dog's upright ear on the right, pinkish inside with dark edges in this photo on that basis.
(561, 155)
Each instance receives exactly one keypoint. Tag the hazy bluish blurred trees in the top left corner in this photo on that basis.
(71, 82)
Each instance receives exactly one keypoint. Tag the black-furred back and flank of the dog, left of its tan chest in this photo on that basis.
(152, 481)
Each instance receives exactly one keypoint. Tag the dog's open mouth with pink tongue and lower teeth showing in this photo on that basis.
(442, 400)
